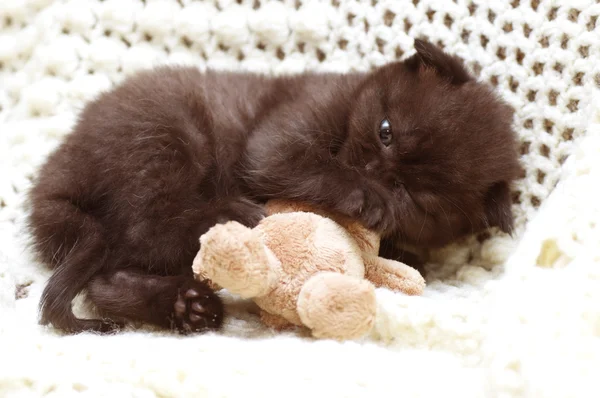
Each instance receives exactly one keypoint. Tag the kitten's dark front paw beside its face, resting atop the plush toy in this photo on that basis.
(370, 207)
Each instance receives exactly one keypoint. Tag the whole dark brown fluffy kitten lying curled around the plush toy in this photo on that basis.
(151, 165)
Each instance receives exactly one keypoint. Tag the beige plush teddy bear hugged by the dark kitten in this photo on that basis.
(303, 266)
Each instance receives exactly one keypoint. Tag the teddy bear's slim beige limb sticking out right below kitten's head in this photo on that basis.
(393, 275)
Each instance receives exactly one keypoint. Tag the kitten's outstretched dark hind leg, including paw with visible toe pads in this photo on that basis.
(176, 302)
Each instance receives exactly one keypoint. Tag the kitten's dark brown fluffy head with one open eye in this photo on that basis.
(440, 142)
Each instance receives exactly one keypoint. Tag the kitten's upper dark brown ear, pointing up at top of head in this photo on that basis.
(446, 65)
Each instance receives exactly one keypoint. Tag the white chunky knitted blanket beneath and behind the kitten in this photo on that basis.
(499, 317)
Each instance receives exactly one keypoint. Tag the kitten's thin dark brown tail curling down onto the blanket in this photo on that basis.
(76, 249)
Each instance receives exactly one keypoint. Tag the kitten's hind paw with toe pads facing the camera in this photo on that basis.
(197, 308)
